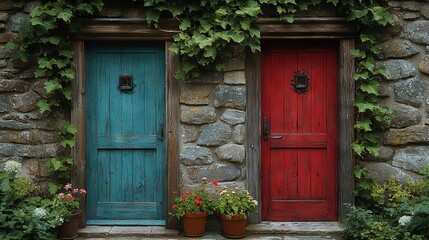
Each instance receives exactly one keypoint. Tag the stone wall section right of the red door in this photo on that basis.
(405, 55)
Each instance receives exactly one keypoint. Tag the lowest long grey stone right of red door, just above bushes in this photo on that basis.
(382, 172)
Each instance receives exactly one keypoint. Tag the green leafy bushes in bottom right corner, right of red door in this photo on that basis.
(391, 211)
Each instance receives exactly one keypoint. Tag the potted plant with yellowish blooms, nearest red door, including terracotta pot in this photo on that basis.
(234, 207)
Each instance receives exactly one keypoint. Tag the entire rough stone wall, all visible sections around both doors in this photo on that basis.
(212, 130)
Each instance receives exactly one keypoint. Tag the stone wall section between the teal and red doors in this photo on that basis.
(212, 130)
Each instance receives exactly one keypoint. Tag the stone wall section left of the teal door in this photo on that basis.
(26, 135)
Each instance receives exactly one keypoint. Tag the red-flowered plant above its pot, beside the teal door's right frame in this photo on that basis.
(196, 200)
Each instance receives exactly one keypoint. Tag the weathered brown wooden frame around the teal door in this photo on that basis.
(102, 30)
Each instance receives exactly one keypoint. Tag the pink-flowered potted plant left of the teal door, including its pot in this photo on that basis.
(66, 205)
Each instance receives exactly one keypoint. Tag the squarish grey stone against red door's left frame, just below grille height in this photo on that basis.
(230, 96)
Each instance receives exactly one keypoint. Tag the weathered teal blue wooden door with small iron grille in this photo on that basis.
(125, 104)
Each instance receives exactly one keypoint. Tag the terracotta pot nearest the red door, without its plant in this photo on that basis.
(235, 227)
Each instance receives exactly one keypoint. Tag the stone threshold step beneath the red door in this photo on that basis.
(297, 228)
